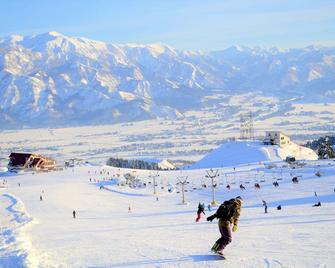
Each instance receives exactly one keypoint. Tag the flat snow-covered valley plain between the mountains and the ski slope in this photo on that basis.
(189, 138)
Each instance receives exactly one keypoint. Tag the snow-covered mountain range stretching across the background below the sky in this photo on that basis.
(55, 80)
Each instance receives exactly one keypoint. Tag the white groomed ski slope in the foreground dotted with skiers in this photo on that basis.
(164, 233)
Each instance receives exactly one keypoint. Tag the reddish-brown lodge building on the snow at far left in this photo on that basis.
(21, 161)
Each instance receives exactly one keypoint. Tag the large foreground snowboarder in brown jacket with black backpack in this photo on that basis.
(228, 214)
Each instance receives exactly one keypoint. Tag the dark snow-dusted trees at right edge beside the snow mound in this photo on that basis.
(324, 147)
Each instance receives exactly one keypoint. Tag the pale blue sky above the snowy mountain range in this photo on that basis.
(185, 24)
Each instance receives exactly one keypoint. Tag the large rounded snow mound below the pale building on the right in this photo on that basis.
(234, 153)
